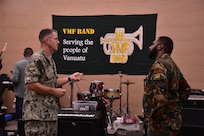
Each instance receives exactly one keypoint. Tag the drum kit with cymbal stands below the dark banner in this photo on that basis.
(97, 90)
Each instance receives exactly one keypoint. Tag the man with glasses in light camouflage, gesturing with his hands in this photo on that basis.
(41, 98)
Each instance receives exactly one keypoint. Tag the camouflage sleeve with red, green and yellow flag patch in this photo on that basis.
(158, 86)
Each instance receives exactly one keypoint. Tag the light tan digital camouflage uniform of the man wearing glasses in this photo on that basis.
(37, 108)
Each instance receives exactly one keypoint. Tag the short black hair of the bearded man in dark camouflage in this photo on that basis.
(168, 44)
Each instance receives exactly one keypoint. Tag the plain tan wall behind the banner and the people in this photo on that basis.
(182, 20)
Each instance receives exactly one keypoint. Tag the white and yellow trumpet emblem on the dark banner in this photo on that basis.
(120, 45)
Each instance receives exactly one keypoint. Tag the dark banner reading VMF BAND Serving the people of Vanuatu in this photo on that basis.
(104, 44)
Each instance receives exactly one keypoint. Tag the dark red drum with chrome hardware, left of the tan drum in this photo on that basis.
(96, 87)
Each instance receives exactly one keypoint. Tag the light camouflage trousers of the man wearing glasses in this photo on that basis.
(40, 128)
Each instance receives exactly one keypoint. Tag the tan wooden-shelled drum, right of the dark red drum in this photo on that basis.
(111, 94)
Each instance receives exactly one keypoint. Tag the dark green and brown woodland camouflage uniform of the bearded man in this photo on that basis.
(165, 91)
